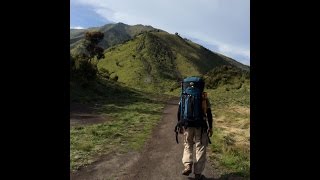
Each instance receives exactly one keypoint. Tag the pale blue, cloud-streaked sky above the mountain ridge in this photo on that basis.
(222, 26)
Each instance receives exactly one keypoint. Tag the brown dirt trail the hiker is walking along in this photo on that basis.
(159, 160)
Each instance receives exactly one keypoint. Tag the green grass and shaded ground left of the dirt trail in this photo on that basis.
(132, 115)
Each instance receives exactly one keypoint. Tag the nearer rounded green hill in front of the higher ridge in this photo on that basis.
(156, 61)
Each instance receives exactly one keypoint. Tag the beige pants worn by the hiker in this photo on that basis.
(192, 136)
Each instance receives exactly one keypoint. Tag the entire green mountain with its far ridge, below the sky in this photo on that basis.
(152, 59)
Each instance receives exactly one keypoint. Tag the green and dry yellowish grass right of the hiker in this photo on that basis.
(231, 135)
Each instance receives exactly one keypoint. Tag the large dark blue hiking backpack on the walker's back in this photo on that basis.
(192, 100)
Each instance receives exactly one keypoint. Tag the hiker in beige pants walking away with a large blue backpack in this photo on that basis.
(194, 117)
